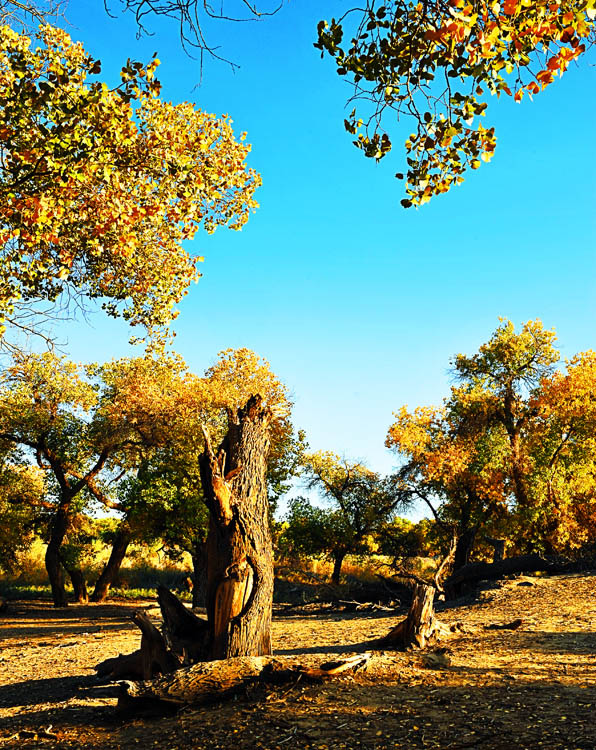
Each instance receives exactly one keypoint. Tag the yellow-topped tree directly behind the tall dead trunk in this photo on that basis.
(167, 407)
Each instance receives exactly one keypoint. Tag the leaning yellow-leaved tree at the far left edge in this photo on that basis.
(83, 429)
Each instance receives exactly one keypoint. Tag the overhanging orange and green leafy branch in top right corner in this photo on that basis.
(436, 62)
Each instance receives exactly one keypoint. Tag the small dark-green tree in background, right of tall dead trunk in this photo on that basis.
(361, 502)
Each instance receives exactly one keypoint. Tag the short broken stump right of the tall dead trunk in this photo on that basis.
(419, 627)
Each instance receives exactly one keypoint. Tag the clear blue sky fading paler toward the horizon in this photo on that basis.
(357, 303)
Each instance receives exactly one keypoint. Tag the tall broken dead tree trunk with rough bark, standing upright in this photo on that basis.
(239, 550)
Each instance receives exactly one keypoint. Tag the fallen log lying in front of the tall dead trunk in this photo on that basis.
(212, 681)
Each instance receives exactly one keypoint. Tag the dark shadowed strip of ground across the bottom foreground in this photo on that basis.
(369, 714)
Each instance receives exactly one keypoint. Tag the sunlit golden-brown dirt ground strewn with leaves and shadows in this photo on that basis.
(533, 687)
